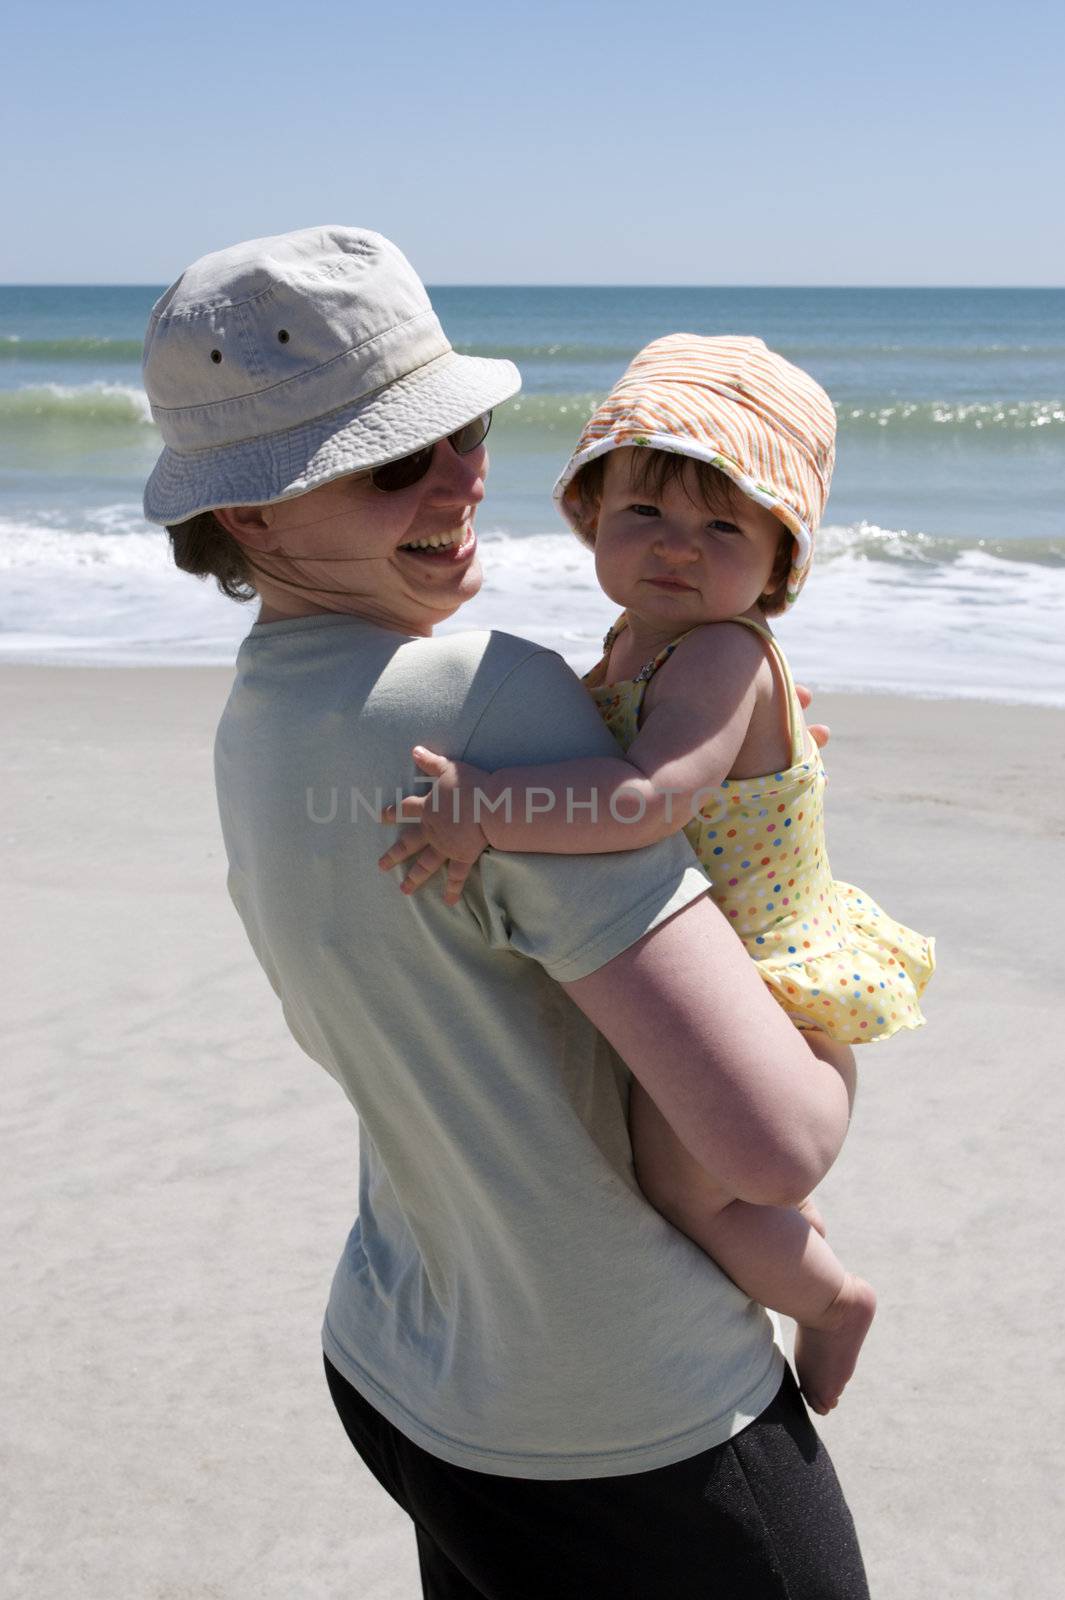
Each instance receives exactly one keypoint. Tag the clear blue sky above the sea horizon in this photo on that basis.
(583, 143)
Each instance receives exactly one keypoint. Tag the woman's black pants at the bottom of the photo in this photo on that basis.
(760, 1518)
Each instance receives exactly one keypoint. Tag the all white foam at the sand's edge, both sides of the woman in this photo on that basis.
(884, 612)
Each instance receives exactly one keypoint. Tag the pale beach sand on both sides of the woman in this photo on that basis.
(180, 1178)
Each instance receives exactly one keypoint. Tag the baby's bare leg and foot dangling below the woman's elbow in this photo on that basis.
(773, 1254)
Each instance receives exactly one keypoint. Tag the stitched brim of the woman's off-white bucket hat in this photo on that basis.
(396, 422)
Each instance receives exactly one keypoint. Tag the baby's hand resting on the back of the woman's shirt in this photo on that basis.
(447, 828)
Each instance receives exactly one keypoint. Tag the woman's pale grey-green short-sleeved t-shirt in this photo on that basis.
(508, 1298)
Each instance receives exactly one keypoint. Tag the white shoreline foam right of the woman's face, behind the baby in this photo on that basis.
(970, 626)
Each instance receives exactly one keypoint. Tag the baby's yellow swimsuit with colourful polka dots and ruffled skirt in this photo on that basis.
(829, 954)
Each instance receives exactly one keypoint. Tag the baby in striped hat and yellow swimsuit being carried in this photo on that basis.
(700, 484)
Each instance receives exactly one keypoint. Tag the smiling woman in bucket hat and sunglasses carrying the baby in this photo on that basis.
(492, 1337)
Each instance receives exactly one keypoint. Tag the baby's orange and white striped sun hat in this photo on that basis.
(730, 402)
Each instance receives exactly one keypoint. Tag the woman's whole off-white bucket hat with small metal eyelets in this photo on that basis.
(285, 362)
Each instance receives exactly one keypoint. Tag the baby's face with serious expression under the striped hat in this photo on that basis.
(671, 558)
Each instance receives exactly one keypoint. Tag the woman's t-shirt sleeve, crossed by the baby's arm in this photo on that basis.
(572, 914)
